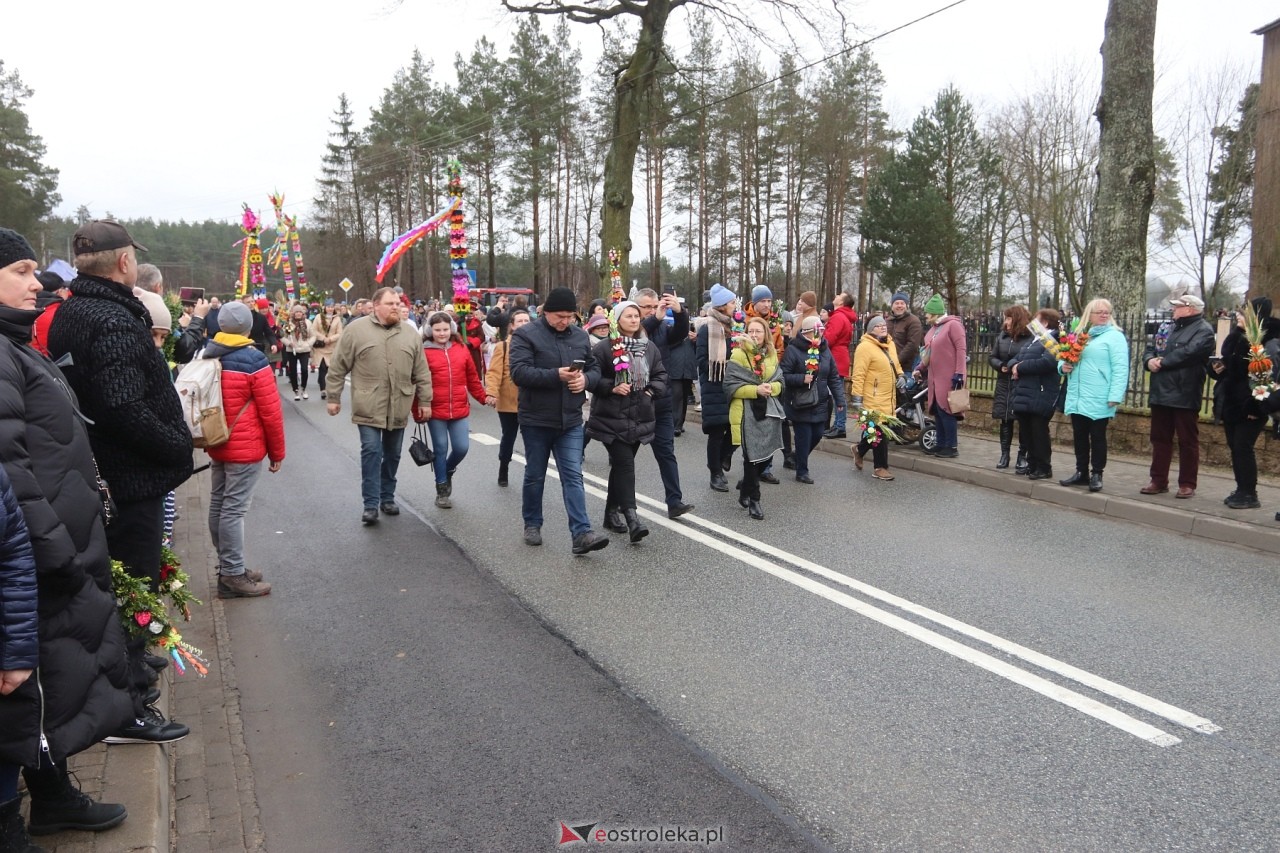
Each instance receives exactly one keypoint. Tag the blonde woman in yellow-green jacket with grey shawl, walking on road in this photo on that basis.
(753, 384)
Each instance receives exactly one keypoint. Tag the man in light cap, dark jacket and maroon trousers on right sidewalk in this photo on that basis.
(1178, 361)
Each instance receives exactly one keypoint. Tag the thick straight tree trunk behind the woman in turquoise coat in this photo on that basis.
(1127, 167)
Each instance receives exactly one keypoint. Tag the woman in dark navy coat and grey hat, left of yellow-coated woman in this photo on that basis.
(808, 390)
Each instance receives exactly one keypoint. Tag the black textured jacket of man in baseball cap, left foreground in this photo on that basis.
(125, 389)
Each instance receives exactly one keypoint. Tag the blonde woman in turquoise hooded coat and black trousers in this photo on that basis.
(1095, 390)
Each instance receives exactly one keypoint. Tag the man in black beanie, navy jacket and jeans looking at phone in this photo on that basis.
(552, 366)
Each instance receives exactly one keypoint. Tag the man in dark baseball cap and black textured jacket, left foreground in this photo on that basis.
(102, 339)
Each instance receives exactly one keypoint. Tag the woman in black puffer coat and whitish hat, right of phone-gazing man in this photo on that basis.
(623, 412)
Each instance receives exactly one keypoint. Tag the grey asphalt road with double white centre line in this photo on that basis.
(909, 665)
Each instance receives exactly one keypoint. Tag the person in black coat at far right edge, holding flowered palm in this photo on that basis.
(1244, 417)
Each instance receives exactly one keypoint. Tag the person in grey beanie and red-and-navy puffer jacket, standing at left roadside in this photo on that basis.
(253, 407)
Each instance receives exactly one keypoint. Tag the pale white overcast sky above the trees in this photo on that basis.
(184, 111)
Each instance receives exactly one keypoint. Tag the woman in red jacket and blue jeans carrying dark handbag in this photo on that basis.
(454, 376)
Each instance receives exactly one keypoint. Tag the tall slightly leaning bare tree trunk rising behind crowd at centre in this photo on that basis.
(633, 90)
